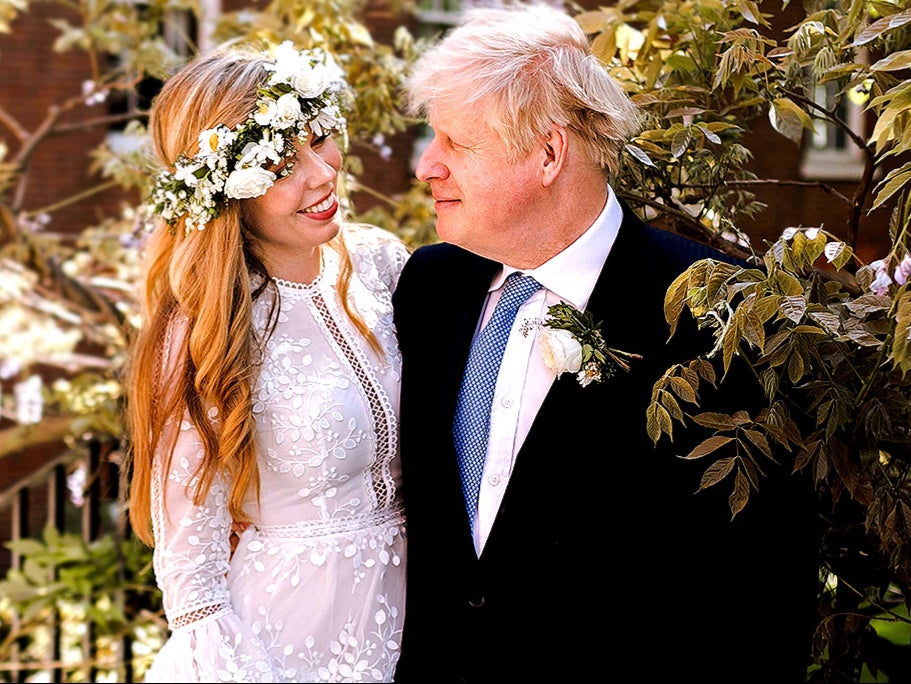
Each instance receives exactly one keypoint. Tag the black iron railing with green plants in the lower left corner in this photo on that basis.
(75, 588)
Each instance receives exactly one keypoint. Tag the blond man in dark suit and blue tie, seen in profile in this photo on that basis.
(574, 549)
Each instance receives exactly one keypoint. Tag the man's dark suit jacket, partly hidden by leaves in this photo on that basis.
(603, 562)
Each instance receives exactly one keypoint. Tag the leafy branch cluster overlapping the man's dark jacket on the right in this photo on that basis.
(831, 353)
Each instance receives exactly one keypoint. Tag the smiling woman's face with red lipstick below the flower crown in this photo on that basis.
(299, 212)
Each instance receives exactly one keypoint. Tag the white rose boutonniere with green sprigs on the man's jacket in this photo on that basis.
(571, 342)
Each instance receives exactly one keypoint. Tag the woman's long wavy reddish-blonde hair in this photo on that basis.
(202, 286)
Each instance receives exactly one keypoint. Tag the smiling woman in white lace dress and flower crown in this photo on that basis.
(263, 384)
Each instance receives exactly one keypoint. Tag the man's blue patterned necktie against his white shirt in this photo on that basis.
(472, 419)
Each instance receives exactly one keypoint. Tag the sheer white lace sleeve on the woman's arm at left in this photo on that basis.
(208, 641)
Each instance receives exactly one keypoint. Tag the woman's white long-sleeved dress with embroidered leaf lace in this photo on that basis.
(315, 591)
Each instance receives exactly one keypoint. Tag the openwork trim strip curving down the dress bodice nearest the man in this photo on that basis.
(383, 419)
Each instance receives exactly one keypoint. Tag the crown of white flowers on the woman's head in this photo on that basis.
(305, 92)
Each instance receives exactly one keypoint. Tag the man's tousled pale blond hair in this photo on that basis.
(526, 67)
